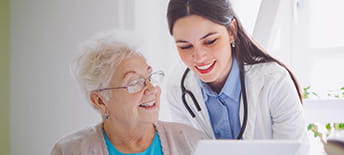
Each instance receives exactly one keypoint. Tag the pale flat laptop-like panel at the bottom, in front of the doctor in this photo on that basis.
(247, 147)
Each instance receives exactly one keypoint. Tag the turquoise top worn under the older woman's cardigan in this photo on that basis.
(153, 149)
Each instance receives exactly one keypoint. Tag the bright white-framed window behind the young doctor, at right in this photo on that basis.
(307, 35)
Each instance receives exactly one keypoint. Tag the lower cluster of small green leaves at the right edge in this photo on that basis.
(330, 127)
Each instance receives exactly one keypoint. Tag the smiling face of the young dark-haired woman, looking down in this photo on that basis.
(204, 47)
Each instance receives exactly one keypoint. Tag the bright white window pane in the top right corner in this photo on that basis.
(326, 24)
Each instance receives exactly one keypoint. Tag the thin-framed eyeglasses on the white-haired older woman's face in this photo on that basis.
(138, 84)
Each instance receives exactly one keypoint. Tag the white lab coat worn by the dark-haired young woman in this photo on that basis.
(274, 109)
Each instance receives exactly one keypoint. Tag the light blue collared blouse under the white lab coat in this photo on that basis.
(224, 107)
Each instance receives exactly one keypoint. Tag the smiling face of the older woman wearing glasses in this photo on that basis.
(139, 107)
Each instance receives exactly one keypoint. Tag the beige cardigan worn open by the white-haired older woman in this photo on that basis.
(175, 138)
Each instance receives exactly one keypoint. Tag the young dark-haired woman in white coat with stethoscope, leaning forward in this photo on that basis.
(231, 88)
